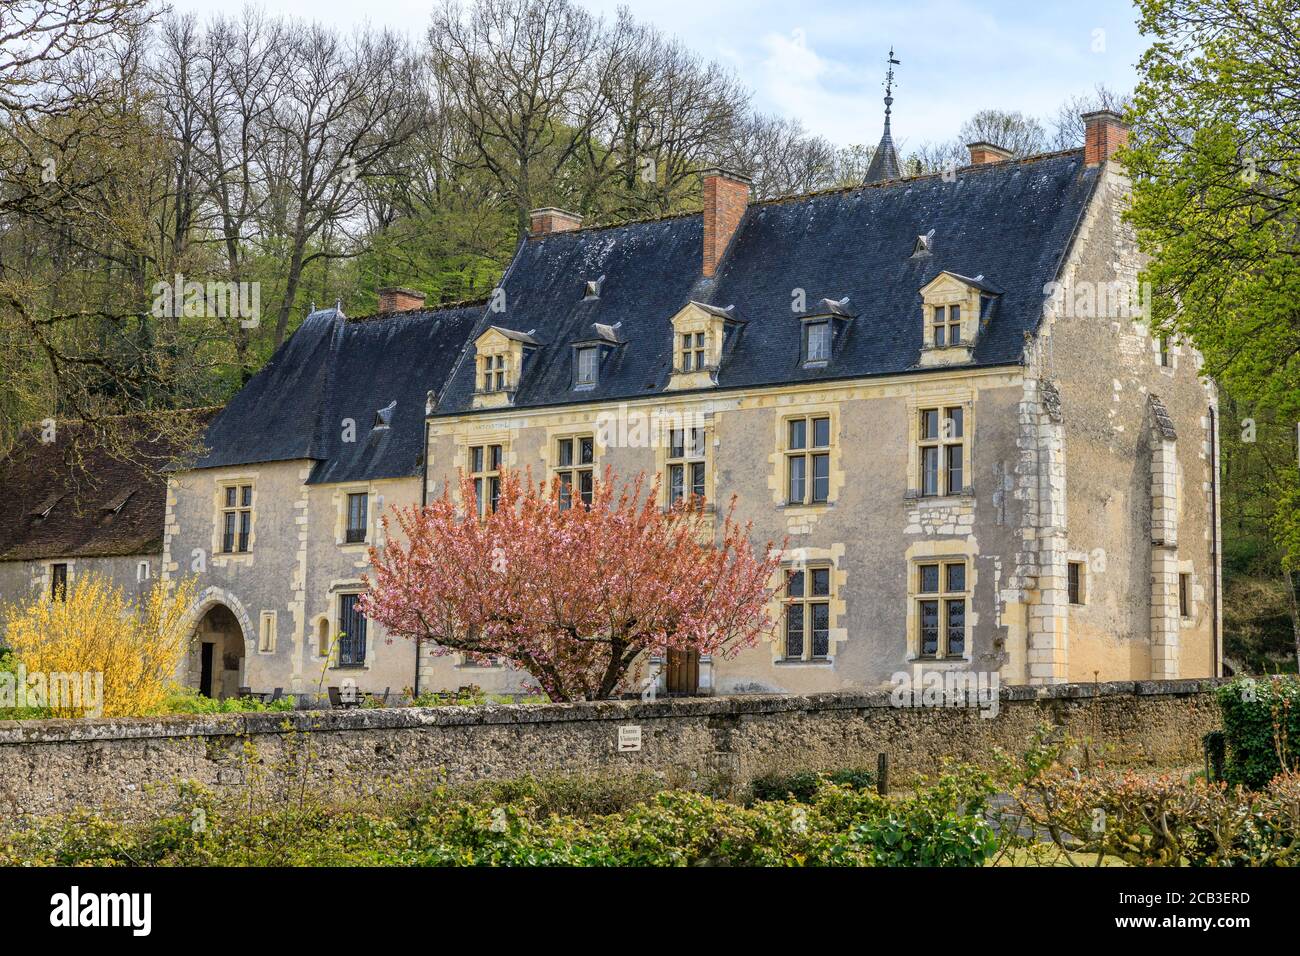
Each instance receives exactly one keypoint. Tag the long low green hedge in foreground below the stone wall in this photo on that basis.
(941, 827)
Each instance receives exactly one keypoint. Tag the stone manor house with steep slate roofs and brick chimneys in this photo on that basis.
(935, 388)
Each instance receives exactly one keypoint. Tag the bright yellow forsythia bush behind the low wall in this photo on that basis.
(136, 644)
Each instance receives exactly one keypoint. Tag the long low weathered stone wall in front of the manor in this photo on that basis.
(133, 765)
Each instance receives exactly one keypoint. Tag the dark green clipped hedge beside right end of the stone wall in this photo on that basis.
(1262, 726)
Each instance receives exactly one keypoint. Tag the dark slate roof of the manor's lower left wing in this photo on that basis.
(336, 369)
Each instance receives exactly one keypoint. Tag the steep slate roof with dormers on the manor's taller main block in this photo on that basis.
(1009, 223)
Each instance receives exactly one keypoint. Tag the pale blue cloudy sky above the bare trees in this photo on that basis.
(824, 60)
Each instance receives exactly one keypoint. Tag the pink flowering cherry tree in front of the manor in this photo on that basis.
(577, 595)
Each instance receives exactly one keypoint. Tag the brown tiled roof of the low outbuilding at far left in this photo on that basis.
(76, 498)
